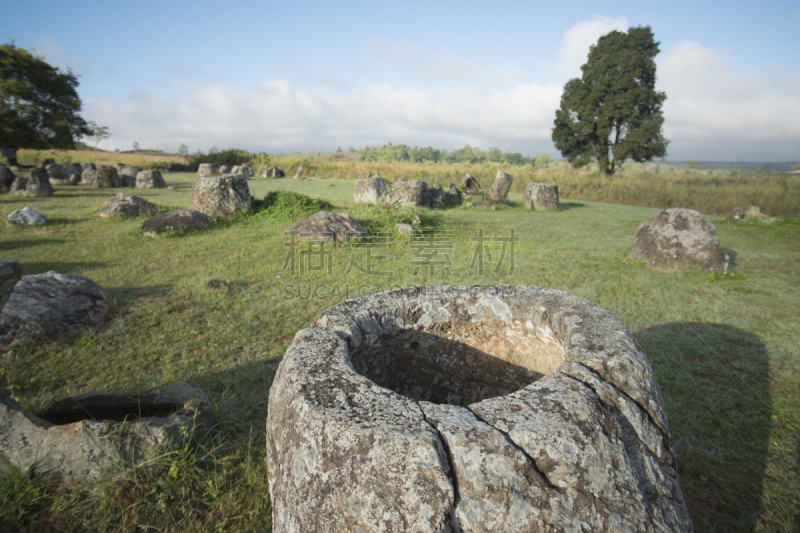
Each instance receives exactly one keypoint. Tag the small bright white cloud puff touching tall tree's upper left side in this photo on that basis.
(577, 40)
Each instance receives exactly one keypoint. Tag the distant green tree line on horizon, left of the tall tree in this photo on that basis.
(400, 153)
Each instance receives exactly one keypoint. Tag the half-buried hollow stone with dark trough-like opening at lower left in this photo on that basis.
(86, 436)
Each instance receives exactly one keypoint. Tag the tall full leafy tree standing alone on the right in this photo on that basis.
(613, 112)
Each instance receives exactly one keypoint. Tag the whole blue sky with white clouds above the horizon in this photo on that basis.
(298, 76)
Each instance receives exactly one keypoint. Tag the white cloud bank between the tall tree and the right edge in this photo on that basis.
(715, 112)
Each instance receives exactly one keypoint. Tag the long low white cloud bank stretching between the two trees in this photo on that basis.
(276, 117)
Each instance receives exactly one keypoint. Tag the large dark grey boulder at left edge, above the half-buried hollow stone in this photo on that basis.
(51, 306)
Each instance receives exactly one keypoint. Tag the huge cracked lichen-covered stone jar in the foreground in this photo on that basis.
(485, 408)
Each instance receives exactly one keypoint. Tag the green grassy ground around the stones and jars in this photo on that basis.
(724, 350)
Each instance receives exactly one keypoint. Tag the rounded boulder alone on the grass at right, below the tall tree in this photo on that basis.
(678, 239)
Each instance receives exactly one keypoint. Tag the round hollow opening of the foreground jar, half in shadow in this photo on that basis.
(461, 362)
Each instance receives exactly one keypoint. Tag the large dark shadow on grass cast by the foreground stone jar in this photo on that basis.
(714, 380)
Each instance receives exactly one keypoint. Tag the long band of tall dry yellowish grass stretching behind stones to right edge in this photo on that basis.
(646, 185)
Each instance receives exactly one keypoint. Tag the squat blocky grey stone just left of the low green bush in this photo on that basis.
(221, 195)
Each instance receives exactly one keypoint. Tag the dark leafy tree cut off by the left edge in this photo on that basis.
(39, 104)
